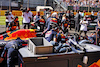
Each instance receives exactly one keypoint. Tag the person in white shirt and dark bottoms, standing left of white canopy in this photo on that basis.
(26, 19)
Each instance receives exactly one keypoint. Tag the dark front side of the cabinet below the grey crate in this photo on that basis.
(60, 60)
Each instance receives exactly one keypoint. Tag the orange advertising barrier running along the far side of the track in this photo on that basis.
(19, 13)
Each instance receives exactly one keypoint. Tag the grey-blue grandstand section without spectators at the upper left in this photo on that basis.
(17, 4)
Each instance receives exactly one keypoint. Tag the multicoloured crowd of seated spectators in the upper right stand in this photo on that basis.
(84, 3)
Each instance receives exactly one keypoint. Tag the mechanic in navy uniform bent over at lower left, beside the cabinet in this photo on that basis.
(9, 49)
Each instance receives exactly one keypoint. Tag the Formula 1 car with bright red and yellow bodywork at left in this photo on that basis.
(23, 34)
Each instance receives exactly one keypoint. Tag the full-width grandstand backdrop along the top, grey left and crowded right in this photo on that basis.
(58, 5)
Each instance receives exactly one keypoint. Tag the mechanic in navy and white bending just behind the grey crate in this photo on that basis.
(53, 36)
